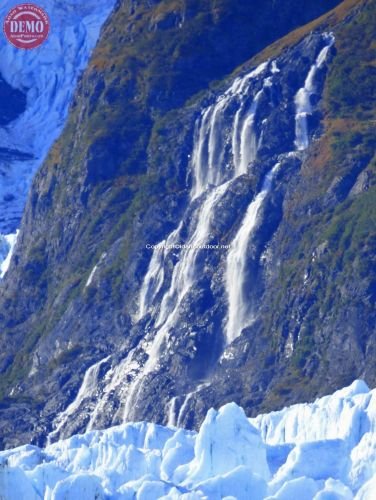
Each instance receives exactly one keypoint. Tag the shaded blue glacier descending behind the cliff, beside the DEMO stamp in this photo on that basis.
(48, 76)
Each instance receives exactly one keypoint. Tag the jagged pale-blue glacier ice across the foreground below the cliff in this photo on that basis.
(325, 450)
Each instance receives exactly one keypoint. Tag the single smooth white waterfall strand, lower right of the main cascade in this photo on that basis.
(236, 277)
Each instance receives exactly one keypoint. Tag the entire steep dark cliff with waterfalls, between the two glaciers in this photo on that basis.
(254, 176)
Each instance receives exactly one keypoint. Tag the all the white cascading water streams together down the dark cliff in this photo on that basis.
(229, 136)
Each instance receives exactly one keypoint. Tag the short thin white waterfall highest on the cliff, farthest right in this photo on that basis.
(303, 104)
